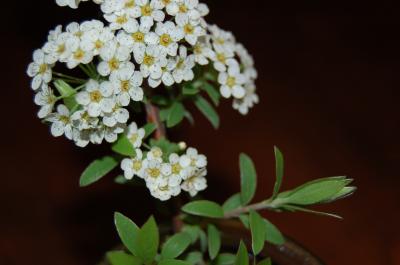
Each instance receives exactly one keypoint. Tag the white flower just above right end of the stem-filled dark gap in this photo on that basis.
(114, 56)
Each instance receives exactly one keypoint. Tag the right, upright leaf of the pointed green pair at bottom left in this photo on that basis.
(148, 241)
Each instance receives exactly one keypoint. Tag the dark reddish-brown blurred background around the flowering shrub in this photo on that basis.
(329, 89)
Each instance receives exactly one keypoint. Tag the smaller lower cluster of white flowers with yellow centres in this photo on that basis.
(165, 177)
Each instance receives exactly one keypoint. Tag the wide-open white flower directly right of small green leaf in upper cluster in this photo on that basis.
(97, 98)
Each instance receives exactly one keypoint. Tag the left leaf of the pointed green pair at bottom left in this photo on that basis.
(127, 231)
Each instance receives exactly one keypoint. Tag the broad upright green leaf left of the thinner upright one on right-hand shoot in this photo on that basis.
(248, 178)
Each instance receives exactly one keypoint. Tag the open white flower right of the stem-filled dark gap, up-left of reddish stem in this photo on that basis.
(127, 82)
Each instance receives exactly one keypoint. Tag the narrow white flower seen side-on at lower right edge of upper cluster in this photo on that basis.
(184, 65)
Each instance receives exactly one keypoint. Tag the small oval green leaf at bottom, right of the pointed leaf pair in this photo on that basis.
(175, 245)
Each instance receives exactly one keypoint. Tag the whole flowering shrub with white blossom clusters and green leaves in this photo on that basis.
(94, 81)
